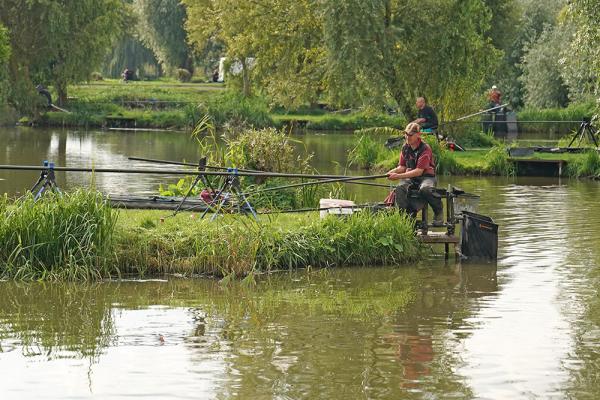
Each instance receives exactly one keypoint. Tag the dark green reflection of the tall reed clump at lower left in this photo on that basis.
(49, 318)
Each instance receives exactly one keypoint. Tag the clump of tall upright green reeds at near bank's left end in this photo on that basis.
(66, 237)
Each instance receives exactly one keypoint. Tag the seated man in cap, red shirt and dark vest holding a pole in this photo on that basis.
(416, 168)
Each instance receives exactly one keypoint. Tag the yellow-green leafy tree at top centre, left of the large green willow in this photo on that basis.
(284, 36)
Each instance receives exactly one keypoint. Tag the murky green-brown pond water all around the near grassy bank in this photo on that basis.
(528, 327)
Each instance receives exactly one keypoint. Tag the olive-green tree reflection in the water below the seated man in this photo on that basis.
(341, 335)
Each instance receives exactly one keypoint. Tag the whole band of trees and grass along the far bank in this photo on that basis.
(314, 56)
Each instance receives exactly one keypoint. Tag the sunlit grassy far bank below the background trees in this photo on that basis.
(173, 105)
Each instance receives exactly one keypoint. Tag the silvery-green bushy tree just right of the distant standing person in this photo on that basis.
(542, 80)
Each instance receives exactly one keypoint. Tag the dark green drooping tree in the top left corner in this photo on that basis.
(68, 40)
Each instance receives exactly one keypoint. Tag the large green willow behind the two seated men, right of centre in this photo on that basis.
(383, 48)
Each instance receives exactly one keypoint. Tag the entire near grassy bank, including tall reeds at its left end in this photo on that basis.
(79, 237)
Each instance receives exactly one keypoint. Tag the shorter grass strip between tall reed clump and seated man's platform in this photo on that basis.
(238, 246)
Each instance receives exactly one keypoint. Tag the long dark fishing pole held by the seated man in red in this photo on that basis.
(231, 171)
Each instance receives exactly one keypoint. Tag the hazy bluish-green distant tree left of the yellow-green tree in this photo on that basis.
(161, 29)
